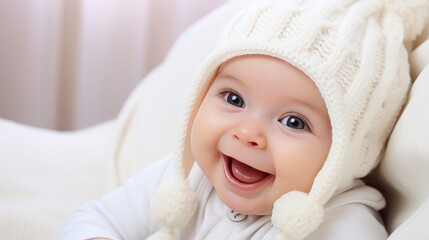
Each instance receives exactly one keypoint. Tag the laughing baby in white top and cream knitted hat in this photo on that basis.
(289, 112)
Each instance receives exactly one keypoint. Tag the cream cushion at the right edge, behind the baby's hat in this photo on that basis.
(405, 166)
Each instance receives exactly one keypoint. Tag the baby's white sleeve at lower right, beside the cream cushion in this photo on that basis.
(353, 214)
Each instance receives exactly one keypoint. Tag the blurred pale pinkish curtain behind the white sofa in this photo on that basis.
(70, 64)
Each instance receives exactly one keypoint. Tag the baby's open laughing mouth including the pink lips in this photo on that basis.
(243, 176)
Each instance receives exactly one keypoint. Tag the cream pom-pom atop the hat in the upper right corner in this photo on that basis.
(414, 14)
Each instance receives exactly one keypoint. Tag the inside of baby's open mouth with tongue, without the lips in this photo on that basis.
(245, 173)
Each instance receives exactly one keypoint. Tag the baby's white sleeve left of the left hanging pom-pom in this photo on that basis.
(123, 213)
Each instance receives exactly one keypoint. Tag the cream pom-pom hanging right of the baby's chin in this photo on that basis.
(296, 215)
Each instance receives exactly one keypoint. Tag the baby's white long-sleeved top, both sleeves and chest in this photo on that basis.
(125, 213)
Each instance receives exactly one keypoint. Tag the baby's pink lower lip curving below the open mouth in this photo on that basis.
(241, 185)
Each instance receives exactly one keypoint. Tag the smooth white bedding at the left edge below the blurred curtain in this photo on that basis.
(45, 175)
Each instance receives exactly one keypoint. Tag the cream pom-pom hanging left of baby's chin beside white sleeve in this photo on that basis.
(174, 204)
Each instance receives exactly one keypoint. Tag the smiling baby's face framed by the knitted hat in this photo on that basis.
(262, 130)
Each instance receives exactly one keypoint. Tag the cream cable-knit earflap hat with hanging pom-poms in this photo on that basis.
(354, 52)
